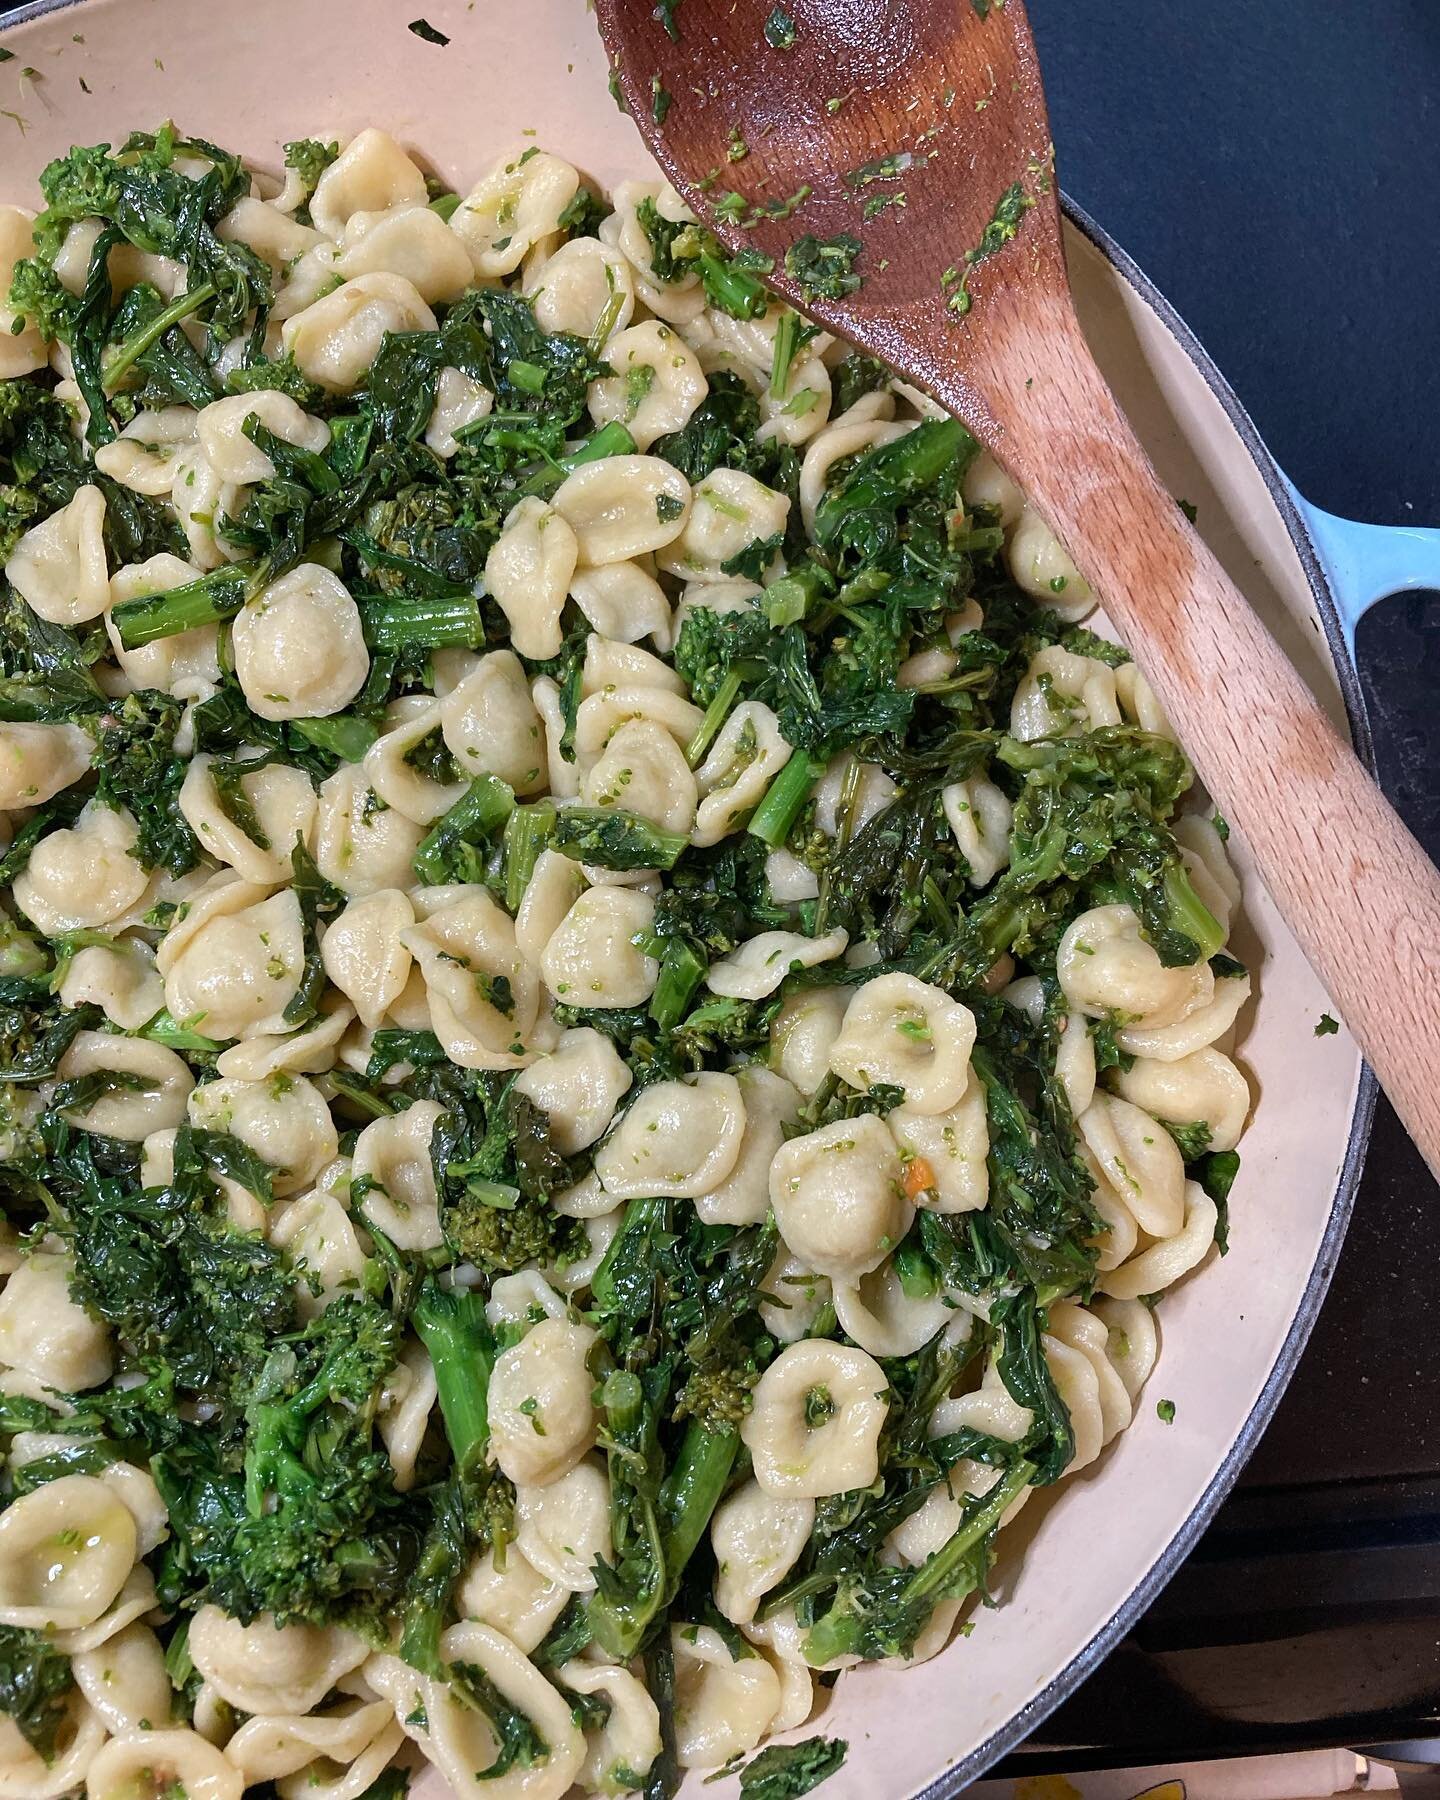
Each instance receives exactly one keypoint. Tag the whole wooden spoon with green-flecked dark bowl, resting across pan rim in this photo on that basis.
(919, 129)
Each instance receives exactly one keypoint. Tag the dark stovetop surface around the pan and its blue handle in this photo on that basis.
(1275, 170)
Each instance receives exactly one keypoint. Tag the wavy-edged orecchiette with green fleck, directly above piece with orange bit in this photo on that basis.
(908, 1034)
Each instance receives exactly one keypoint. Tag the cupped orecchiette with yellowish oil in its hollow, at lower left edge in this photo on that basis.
(66, 1552)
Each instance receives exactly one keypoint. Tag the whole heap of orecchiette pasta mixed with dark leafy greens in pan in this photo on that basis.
(528, 931)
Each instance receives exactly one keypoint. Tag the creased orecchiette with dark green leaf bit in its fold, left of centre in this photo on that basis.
(483, 994)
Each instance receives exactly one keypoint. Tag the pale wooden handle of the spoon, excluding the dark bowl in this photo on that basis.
(1356, 890)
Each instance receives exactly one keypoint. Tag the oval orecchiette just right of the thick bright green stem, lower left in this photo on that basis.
(543, 1419)
